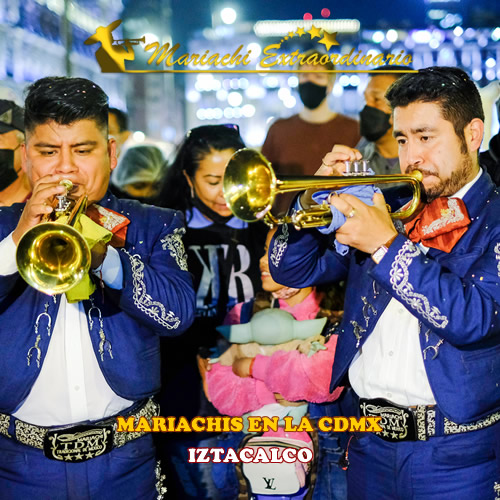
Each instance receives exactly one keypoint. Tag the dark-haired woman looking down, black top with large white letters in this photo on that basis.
(223, 255)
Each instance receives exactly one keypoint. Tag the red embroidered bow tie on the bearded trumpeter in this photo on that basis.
(440, 225)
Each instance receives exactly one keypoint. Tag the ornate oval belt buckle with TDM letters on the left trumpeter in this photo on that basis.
(78, 443)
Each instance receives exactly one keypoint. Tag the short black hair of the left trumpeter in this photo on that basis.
(65, 100)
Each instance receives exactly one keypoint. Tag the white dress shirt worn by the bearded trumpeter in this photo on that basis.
(390, 364)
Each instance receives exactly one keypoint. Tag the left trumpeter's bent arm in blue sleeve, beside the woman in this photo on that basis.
(157, 287)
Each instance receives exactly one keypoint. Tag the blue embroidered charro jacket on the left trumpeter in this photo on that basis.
(157, 299)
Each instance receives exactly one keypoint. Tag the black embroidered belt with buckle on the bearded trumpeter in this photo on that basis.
(415, 423)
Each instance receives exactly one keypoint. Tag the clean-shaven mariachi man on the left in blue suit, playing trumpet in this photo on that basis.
(71, 363)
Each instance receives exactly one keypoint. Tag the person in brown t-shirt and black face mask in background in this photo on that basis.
(296, 145)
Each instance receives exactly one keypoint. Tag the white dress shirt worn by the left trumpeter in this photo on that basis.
(70, 387)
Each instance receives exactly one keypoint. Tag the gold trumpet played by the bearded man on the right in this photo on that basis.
(250, 187)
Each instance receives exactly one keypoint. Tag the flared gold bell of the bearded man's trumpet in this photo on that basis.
(249, 185)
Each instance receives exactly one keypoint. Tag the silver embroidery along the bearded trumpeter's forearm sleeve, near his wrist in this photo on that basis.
(399, 280)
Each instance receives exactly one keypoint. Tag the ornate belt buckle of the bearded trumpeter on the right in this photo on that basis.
(397, 422)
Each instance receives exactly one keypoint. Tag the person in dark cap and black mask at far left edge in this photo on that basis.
(14, 184)
